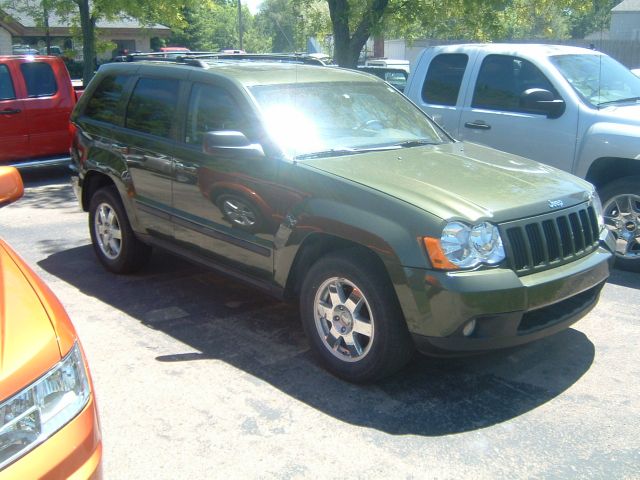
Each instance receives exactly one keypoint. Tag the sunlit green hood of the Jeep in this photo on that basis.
(461, 180)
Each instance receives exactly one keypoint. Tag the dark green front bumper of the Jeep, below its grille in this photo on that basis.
(508, 310)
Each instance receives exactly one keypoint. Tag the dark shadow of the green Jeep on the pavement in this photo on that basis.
(229, 321)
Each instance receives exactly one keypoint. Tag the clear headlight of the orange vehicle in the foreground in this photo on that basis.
(34, 414)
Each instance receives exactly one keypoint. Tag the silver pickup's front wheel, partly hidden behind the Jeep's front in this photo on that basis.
(621, 207)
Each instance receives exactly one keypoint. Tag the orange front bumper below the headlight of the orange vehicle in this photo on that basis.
(74, 452)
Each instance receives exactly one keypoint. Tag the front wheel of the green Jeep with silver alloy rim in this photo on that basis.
(352, 318)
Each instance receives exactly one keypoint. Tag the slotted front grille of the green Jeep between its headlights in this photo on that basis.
(535, 244)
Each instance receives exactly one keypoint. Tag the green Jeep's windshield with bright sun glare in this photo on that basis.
(311, 120)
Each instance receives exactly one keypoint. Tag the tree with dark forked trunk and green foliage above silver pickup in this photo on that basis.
(354, 21)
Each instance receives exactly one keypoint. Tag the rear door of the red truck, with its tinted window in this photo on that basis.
(48, 106)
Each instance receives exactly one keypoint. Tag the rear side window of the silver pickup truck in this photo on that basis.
(444, 78)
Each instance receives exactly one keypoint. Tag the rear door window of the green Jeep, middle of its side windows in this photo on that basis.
(152, 107)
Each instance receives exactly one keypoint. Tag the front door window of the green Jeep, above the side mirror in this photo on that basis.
(211, 108)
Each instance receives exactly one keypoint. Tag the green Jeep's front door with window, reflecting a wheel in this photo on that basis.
(223, 203)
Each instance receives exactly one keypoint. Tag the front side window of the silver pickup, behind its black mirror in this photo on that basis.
(503, 79)
